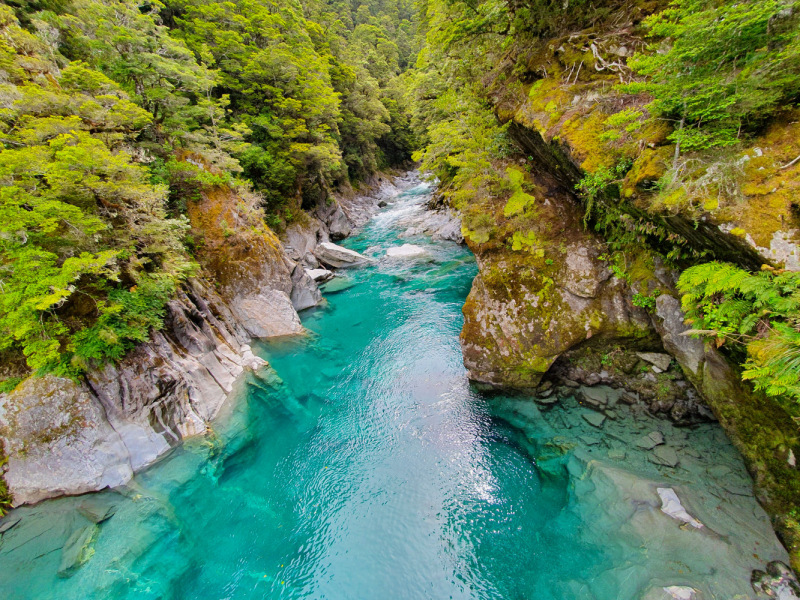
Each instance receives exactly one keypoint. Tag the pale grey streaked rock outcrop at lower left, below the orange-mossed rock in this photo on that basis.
(63, 437)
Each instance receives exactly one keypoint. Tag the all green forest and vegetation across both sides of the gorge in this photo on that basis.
(117, 113)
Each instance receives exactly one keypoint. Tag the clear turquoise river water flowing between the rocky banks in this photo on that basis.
(366, 467)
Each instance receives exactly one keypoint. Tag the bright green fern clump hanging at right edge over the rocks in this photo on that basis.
(758, 310)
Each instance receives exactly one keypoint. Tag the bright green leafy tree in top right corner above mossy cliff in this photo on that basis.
(727, 67)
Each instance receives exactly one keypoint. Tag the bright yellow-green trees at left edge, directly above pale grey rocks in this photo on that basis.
(77, 216)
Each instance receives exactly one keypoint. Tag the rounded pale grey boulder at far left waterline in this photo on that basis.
(58, 441)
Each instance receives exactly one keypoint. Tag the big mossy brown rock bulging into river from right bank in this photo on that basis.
(524, 310)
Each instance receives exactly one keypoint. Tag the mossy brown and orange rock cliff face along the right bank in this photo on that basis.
(563, 315)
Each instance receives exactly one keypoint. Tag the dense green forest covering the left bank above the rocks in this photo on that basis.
(118, 113)
